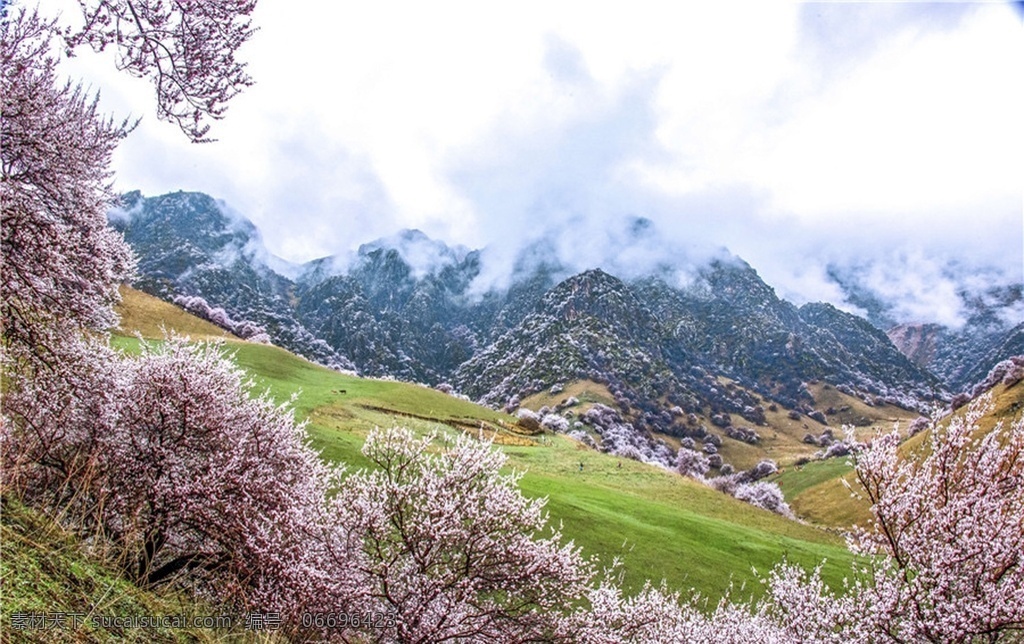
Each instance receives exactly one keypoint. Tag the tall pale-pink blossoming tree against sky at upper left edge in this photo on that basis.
(61, 263)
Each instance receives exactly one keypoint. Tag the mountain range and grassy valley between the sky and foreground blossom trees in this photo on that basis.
(583, 377)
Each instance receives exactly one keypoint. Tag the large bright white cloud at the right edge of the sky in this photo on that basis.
(930, 122)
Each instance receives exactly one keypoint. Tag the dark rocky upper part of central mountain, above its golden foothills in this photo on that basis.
(652, 341)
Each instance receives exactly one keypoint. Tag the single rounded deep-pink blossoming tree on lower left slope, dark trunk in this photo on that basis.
(211, 484)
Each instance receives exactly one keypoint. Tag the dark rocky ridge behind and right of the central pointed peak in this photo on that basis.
(730, 316)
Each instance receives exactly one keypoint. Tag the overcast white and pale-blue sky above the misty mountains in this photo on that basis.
(885, 136)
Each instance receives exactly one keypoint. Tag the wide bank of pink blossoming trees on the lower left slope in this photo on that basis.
(175, 473)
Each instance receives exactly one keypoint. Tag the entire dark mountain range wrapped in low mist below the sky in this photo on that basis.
(659, 330)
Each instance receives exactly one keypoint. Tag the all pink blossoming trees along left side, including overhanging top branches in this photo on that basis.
(165, 462)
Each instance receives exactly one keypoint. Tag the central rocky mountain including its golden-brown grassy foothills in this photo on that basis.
(688, 372)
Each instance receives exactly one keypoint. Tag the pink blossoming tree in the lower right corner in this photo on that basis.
(950, 522)
